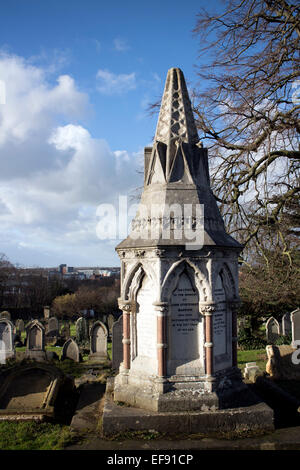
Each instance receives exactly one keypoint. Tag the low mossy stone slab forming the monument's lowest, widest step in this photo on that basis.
(253, 415)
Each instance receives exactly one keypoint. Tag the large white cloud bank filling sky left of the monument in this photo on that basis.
(53, 172)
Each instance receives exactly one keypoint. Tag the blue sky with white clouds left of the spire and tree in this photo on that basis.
(76, 78)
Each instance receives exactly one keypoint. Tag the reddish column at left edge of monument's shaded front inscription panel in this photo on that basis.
(161, 316)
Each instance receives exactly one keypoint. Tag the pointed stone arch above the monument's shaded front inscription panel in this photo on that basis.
(194, 273)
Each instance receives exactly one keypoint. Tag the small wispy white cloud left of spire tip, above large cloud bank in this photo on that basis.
(111, 83)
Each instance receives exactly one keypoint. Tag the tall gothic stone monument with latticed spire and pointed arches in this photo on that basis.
(179, 278)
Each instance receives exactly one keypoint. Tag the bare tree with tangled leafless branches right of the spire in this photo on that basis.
(248, 115)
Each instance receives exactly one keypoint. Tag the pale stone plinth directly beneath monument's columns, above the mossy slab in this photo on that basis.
(188, 394)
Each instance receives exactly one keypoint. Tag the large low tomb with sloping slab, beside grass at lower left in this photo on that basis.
(35, 392)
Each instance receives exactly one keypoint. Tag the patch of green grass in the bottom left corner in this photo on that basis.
(30, 435)
